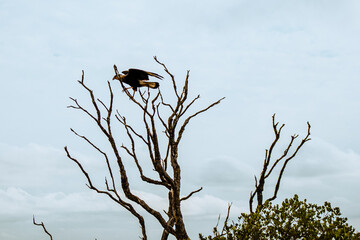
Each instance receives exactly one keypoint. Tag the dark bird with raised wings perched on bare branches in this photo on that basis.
(137, 78)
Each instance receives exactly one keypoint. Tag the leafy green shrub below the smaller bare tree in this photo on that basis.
(294, 219)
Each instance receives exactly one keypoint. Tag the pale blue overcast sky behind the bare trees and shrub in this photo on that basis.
(298, 59)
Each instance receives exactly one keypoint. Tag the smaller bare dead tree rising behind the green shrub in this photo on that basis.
(268, 168)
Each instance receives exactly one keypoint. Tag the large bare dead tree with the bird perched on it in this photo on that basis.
(172, 128)
